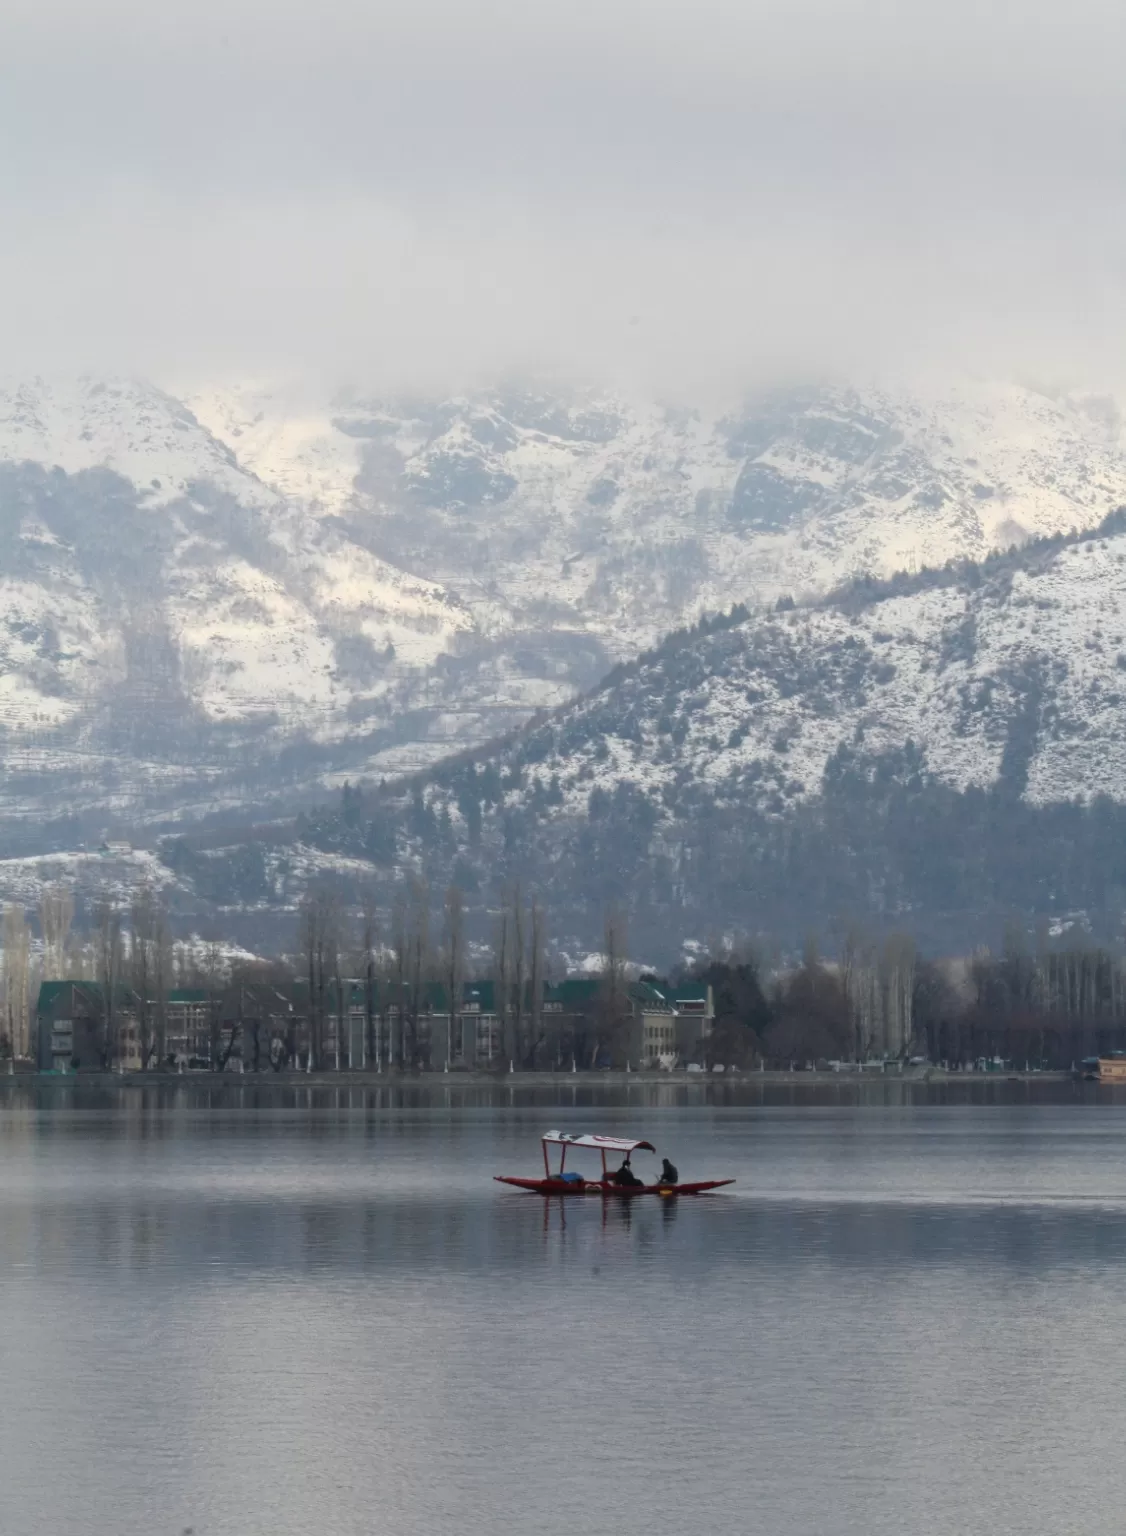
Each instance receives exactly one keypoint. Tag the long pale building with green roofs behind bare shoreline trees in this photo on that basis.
(273, 1025)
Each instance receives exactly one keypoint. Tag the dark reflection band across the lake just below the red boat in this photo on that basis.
(142, 1237)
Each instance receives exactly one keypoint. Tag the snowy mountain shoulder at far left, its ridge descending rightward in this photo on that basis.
(165, 612)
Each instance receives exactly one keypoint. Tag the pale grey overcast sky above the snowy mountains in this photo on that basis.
(686, 196)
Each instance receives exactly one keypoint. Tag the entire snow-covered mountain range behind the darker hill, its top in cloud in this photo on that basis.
(243, 595)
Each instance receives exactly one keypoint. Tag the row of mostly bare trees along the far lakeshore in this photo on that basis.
(1045, 1002)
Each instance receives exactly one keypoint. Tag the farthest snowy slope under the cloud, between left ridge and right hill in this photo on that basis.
(624, 518)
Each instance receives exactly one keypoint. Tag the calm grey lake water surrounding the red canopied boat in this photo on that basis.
(325, 1319)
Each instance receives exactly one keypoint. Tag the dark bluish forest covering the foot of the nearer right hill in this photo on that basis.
(884, 839)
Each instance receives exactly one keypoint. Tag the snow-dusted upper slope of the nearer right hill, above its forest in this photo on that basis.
(1016, 675)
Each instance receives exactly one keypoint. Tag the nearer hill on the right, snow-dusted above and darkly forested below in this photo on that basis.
(938, 753)
